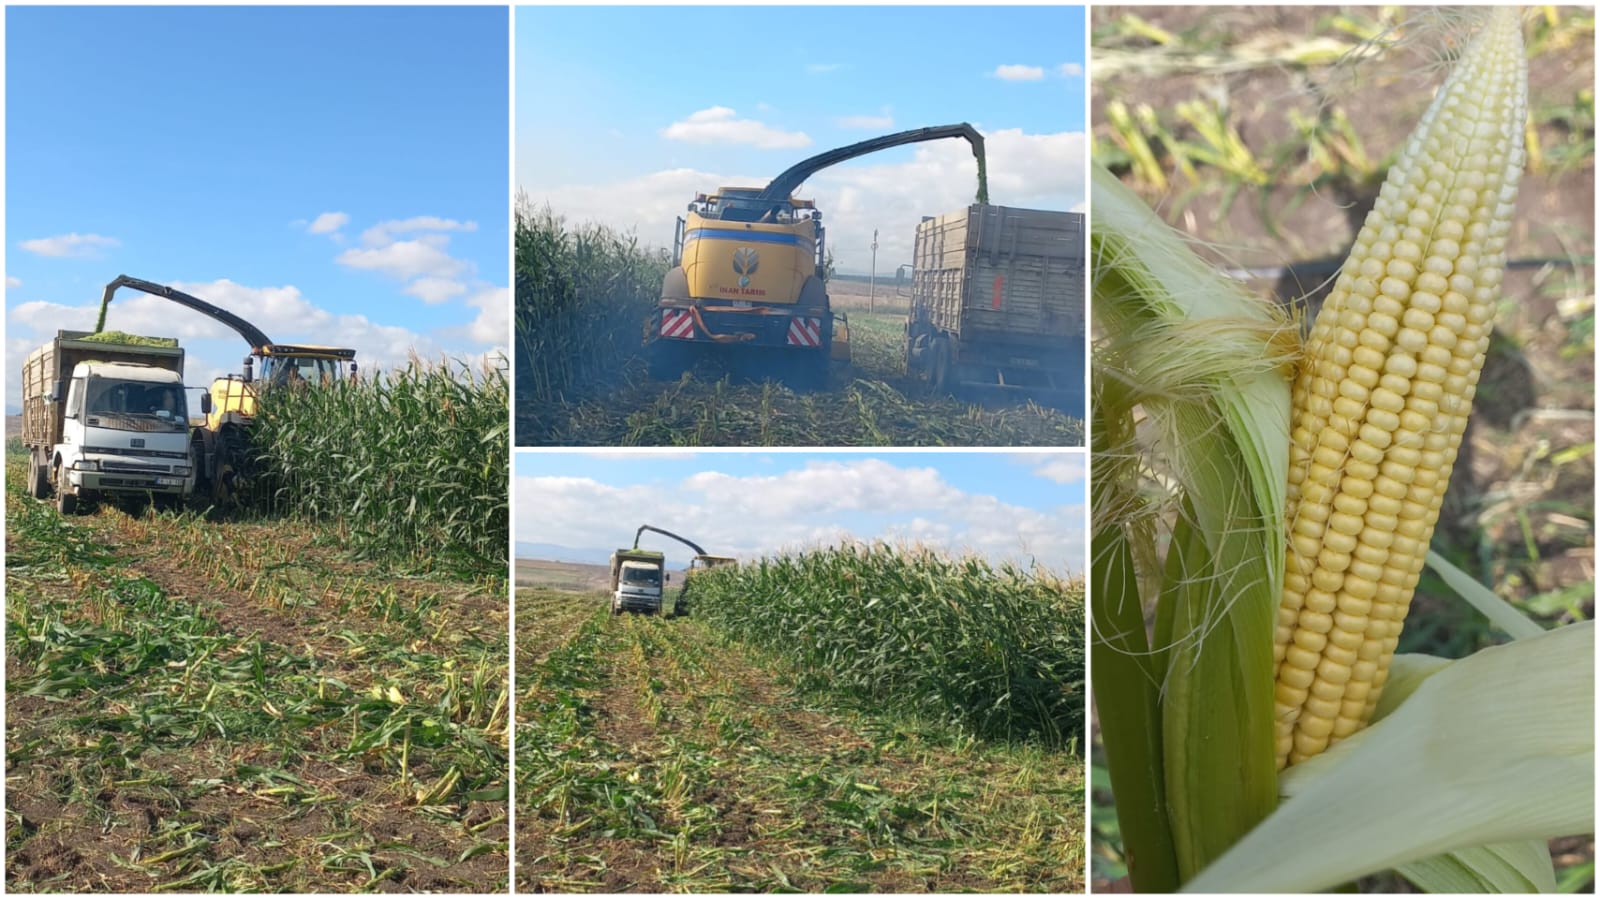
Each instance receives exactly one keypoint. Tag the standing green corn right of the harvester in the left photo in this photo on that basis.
(410, 465)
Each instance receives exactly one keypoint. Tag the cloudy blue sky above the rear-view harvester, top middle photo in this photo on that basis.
(678, 103)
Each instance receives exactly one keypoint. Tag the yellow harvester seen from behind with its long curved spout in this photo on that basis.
(750, 282)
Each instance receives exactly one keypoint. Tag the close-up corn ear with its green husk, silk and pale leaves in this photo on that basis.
(1295, 490)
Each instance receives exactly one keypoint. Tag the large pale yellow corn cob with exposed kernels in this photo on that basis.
(1383, 394)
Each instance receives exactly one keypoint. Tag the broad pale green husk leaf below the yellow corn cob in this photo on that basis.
(1490, 749)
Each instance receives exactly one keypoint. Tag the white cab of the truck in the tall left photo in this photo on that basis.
(124, 431)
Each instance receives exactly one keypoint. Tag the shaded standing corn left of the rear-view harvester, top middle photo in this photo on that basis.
(583, 295)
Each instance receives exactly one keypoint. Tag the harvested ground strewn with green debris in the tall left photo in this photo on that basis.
(194, 714)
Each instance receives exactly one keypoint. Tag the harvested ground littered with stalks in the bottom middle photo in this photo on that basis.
(668, 761)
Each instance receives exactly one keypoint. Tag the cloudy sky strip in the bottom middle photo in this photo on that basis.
(1018, 506)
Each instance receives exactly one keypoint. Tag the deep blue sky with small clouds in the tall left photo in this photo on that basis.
(334, 175)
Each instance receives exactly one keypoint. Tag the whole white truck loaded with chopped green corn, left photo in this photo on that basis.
(105, 417)
